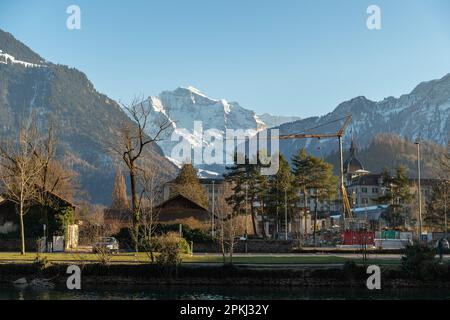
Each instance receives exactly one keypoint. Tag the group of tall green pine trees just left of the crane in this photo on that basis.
(278, 195)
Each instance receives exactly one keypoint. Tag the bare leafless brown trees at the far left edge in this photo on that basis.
(30, 172)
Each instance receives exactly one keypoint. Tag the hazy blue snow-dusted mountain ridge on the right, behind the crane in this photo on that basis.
(424, 113)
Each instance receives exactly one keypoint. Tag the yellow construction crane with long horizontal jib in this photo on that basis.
(347, 211)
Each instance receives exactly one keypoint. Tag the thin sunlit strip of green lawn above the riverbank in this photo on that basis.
(142, 258)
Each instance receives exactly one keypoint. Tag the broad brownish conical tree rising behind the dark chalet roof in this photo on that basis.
(188, 185)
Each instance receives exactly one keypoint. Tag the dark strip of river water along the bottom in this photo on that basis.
(8, 292)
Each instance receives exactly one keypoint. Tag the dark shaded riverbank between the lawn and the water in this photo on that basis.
(349, 276)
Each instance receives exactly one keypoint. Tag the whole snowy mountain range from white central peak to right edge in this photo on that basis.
(424, 113)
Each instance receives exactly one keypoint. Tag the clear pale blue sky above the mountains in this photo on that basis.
(288, 57)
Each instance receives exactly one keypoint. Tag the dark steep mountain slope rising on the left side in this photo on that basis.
(86, 119)
